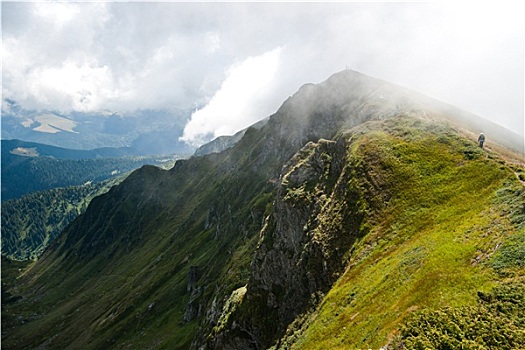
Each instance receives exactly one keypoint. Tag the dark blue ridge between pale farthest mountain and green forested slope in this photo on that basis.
(29, 167)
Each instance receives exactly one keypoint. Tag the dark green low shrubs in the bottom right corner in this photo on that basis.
(496, 322)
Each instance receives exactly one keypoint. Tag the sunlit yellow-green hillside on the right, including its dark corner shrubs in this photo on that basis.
(430, 237)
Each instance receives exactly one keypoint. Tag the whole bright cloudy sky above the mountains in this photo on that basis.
(232, 64)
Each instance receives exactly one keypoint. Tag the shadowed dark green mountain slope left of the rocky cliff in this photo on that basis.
(152, 237)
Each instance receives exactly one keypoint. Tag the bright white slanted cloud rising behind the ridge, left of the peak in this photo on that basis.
(239, 102)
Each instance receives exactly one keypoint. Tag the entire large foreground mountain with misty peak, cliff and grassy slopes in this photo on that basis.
(358, 213)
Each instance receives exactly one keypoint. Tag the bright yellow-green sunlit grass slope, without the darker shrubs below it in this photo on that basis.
(430, 247)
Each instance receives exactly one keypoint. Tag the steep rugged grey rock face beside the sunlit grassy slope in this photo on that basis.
(304, 243)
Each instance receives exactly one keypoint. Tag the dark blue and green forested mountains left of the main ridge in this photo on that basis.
(45, 187)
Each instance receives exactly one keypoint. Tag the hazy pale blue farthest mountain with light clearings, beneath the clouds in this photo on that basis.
(147, 131)
